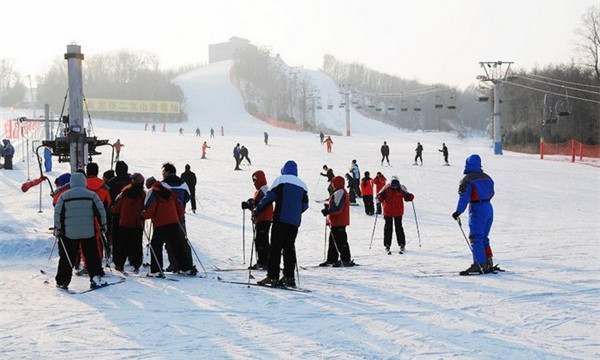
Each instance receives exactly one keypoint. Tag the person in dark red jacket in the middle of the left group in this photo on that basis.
(128, 206)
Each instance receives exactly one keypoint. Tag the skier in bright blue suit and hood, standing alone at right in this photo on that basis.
(476, 189)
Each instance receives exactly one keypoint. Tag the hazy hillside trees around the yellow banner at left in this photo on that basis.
(116, 75)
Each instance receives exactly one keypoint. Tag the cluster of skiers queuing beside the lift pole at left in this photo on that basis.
(92, 213)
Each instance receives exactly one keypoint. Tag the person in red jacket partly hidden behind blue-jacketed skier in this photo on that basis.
(262, 222)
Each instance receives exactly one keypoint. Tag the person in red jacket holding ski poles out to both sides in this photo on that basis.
(392, 196)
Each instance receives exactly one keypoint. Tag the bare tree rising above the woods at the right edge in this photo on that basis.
(588, 47)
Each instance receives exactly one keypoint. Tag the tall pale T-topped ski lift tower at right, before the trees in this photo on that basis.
(496, 75)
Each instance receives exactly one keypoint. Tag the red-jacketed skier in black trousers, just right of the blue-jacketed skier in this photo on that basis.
(337, 212)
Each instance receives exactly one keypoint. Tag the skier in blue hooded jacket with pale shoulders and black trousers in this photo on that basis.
(291, 200)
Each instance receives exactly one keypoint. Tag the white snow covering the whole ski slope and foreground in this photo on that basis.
(545, 233)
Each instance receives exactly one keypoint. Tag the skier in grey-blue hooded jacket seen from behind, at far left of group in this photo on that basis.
(75, 215)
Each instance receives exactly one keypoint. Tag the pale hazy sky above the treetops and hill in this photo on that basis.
(428, 40)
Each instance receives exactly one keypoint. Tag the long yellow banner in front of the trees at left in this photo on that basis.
(135, 106)
